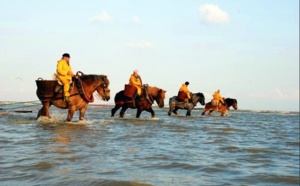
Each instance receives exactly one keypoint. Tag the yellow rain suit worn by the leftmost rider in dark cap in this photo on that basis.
(63, 67)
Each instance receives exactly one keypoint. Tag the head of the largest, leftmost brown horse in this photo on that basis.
(103, 87)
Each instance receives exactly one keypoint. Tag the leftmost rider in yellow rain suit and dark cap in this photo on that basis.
(65, 73)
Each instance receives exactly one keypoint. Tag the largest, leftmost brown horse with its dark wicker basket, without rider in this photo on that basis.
(49, 92)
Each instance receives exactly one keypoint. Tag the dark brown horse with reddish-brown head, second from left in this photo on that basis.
(149, 95)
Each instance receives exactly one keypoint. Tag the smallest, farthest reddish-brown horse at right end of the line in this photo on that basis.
(221, 108)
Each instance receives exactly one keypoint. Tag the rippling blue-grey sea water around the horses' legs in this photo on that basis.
(243, 148)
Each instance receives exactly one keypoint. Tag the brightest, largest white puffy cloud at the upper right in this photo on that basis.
(210, 13)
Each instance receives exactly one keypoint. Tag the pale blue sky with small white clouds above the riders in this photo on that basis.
(248, 49)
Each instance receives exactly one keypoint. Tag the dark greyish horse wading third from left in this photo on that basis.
(174, 105)
